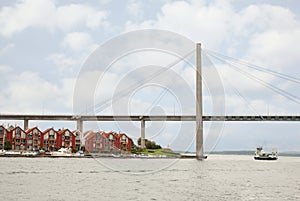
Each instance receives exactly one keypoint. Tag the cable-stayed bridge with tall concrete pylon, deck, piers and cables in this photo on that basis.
(199, 118)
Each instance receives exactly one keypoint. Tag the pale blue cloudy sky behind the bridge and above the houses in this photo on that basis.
(46, 45)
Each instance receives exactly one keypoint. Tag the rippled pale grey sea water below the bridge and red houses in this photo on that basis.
(220, 177)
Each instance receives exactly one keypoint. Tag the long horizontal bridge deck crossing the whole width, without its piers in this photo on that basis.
(145, 118)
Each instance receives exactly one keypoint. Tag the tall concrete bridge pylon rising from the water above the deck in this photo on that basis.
(199, 120)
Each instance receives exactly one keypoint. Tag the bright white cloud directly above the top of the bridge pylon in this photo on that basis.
(208, 24)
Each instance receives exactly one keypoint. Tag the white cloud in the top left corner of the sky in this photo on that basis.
(45, 14)
